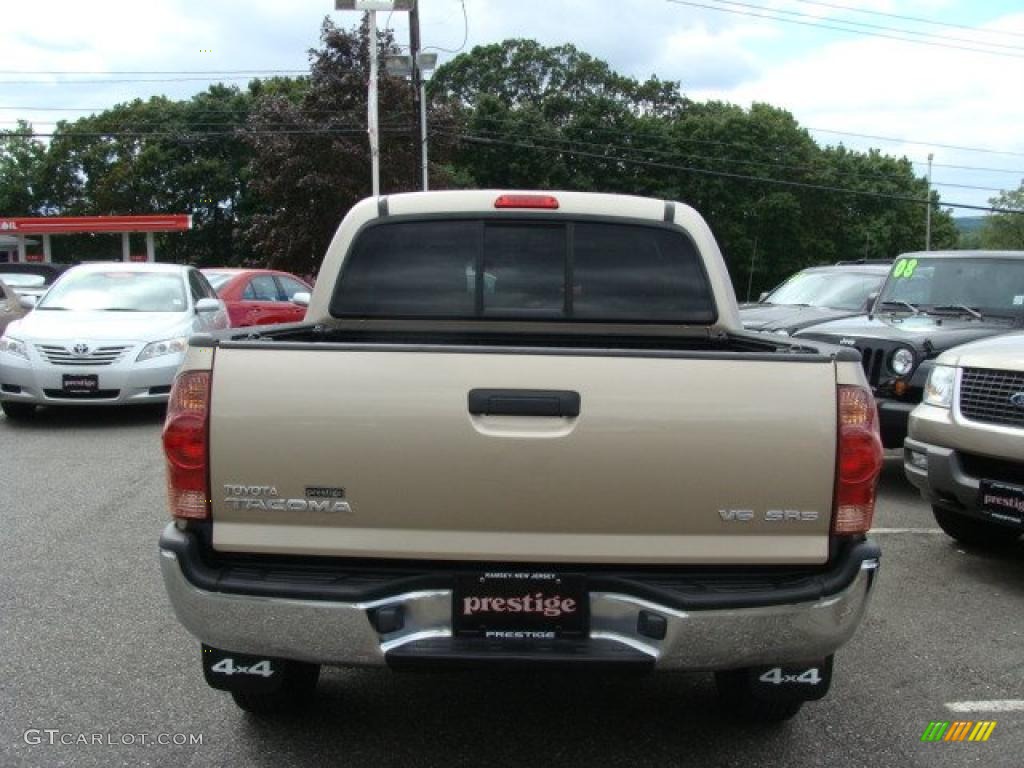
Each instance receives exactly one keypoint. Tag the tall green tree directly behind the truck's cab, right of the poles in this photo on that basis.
(548, 117)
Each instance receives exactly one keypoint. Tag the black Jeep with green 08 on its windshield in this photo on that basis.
(931, 302)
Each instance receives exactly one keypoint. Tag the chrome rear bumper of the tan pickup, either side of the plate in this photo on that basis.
(343, 633)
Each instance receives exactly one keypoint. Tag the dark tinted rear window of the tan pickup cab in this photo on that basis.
(538, 270)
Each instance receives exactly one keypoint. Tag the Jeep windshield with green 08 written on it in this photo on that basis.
(988, 285)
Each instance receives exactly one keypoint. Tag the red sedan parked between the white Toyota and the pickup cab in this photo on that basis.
(259, 297)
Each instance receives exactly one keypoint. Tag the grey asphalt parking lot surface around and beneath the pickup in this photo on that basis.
(91, 649)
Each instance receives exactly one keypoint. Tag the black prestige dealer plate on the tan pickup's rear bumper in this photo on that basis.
(504, 606)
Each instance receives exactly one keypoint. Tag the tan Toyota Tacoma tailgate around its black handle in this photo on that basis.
(671, 459)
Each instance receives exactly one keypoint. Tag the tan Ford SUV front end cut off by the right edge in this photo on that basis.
(966, 445)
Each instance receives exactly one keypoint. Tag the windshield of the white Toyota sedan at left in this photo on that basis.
(118, 291)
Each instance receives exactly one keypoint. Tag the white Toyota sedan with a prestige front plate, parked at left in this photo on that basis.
(106, 334)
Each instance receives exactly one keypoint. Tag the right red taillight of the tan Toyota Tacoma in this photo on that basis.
(860, 461)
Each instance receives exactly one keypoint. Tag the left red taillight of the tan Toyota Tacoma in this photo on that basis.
(186, 446)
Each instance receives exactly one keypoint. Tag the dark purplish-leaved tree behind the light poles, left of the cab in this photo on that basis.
(311, 156)
